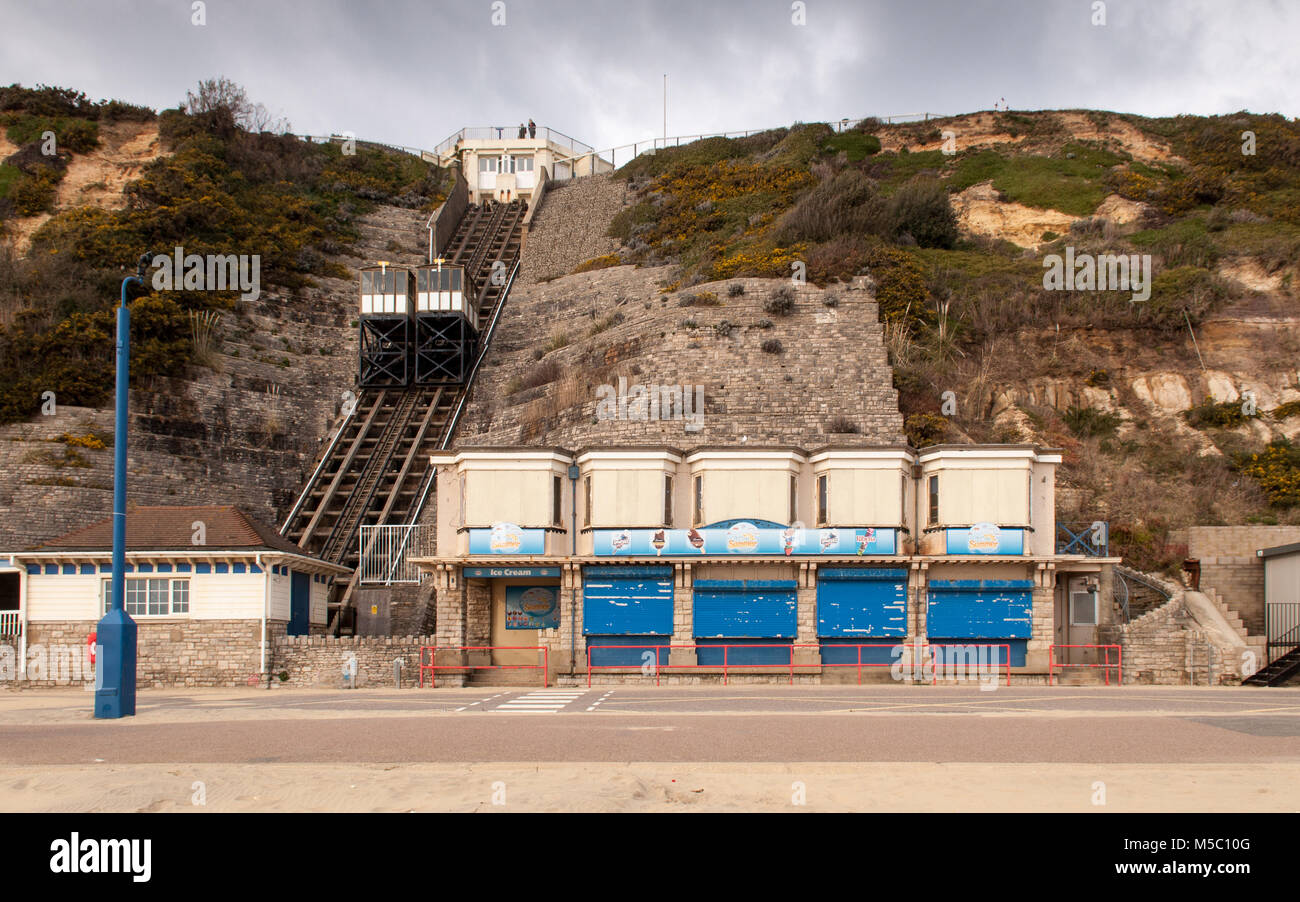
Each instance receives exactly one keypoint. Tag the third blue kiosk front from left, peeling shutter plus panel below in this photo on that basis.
(861, 606)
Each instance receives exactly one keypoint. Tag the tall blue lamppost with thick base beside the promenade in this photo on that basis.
(115, 675)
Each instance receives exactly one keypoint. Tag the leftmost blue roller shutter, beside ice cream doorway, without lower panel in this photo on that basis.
(627, 601)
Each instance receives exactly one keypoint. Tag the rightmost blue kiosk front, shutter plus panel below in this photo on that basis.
(982, 612)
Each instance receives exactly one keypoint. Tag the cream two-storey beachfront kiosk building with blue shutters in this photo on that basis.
(772, 563)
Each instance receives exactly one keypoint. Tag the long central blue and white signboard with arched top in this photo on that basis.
(746, 537)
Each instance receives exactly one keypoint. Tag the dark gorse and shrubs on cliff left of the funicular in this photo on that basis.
(220, 190)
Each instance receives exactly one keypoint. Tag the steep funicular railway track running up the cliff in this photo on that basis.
(376, 469)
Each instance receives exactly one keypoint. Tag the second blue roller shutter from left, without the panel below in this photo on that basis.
(746, 609)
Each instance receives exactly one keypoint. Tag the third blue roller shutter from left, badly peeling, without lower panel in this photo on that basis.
(864, 604)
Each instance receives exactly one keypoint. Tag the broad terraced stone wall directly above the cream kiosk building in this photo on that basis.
(829, 376)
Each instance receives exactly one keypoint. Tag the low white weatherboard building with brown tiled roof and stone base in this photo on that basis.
(209, 587)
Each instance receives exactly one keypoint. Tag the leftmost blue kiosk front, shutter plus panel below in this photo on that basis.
(627, 606)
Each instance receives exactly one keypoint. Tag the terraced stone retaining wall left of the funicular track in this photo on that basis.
(245, 430)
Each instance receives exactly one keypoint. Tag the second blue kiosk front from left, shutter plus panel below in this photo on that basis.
(746, 613)
